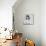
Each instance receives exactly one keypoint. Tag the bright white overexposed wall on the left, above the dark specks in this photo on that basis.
(6, 13)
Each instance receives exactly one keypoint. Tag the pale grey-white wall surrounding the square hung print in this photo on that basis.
(29, 31)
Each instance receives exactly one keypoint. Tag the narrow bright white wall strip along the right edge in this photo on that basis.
(43, 22)
